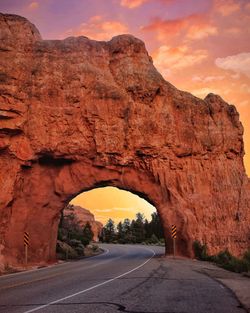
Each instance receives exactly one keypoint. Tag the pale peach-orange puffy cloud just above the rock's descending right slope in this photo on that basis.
(168, 58)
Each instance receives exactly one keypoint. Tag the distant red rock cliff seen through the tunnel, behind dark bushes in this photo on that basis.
(83, 216)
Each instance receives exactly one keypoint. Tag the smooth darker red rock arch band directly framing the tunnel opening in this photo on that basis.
(48, 186)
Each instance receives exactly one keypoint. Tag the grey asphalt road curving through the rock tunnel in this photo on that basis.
(125, 278)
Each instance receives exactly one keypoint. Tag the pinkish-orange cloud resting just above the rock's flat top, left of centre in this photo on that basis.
(99, 29)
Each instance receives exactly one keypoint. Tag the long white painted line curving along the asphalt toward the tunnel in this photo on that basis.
(91, 288)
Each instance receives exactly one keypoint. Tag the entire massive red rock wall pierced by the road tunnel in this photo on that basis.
(77, 114)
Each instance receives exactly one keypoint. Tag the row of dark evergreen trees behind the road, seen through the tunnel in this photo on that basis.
(139, 230)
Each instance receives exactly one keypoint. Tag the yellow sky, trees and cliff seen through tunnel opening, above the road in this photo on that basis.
(107, 214)
